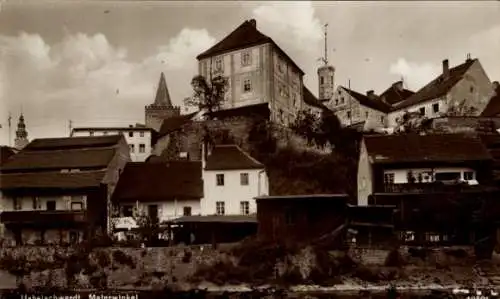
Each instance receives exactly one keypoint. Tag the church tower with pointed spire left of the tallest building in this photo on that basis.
(162, 107)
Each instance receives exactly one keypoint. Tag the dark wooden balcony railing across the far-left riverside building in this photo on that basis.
(42, 218)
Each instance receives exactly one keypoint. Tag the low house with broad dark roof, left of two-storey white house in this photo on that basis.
(162, 191)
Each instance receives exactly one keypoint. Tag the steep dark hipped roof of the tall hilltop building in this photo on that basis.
(245, 36)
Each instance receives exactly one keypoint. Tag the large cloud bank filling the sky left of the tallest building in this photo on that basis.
(89, 80)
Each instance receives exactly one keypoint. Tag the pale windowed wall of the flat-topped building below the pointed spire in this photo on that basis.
(136, 139)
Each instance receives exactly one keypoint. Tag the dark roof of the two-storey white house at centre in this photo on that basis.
(230, 157)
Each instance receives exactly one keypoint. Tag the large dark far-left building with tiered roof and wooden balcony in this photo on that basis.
(58, 190)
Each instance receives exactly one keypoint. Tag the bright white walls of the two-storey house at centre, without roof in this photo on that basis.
(232, 193)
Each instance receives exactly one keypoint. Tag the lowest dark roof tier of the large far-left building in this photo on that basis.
(48, 180)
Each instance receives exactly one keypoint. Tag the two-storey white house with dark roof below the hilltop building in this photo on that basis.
(231, 181)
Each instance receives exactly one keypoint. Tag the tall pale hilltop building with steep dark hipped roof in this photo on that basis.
(258, 71)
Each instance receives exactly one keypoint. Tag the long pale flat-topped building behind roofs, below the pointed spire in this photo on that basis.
(139, 138)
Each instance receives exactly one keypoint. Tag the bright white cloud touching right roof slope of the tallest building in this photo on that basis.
(296, 29)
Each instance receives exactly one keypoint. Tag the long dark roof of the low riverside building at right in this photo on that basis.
(414, 148)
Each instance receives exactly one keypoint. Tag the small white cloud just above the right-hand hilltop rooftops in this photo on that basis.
(414, 74)
